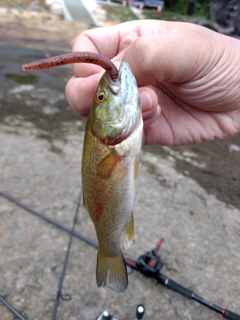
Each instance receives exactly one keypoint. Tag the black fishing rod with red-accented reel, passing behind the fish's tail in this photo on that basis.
(149, 264)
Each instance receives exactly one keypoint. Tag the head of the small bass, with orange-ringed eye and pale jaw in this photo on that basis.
(116, 107)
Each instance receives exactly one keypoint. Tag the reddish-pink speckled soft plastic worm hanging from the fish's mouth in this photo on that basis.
(75, 57)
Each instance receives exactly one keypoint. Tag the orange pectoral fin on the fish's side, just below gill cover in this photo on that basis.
(106, 167)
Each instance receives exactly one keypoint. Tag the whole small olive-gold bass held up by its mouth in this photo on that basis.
(110, 161)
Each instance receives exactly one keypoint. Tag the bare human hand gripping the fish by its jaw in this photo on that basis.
(188, 77)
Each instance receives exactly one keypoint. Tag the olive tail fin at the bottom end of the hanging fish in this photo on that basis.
(112, 272)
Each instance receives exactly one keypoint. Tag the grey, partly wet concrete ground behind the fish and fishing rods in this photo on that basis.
(190, 196)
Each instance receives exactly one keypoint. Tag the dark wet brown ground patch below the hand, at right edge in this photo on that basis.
(214, 165)
